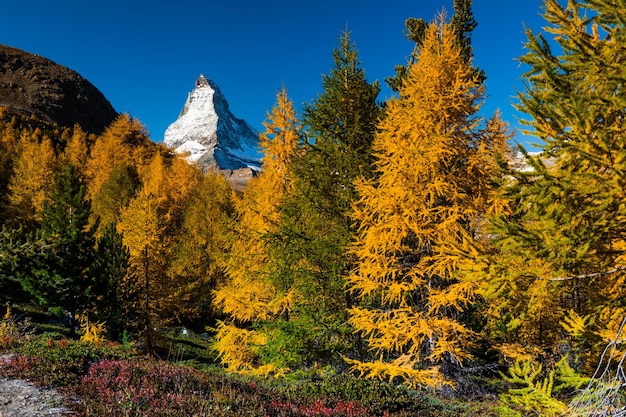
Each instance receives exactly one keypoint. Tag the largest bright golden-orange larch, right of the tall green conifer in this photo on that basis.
(419, 217)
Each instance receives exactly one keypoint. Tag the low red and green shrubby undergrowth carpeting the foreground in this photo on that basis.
(109, 379)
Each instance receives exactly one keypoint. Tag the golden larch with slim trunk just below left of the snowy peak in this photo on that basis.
(150, 225)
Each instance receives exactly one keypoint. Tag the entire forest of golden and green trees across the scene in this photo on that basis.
(397, 240)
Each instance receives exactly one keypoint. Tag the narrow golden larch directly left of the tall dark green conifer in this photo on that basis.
(248, 295)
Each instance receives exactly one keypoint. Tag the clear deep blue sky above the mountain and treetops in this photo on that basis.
(146, 55)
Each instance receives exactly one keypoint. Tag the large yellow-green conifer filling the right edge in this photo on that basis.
(561, 251)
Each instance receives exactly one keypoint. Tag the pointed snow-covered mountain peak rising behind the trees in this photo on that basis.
(211, 135)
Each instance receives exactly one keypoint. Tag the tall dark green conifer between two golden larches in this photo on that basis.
(308, 253)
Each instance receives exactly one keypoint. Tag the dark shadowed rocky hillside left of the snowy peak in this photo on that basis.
(52, 92)
